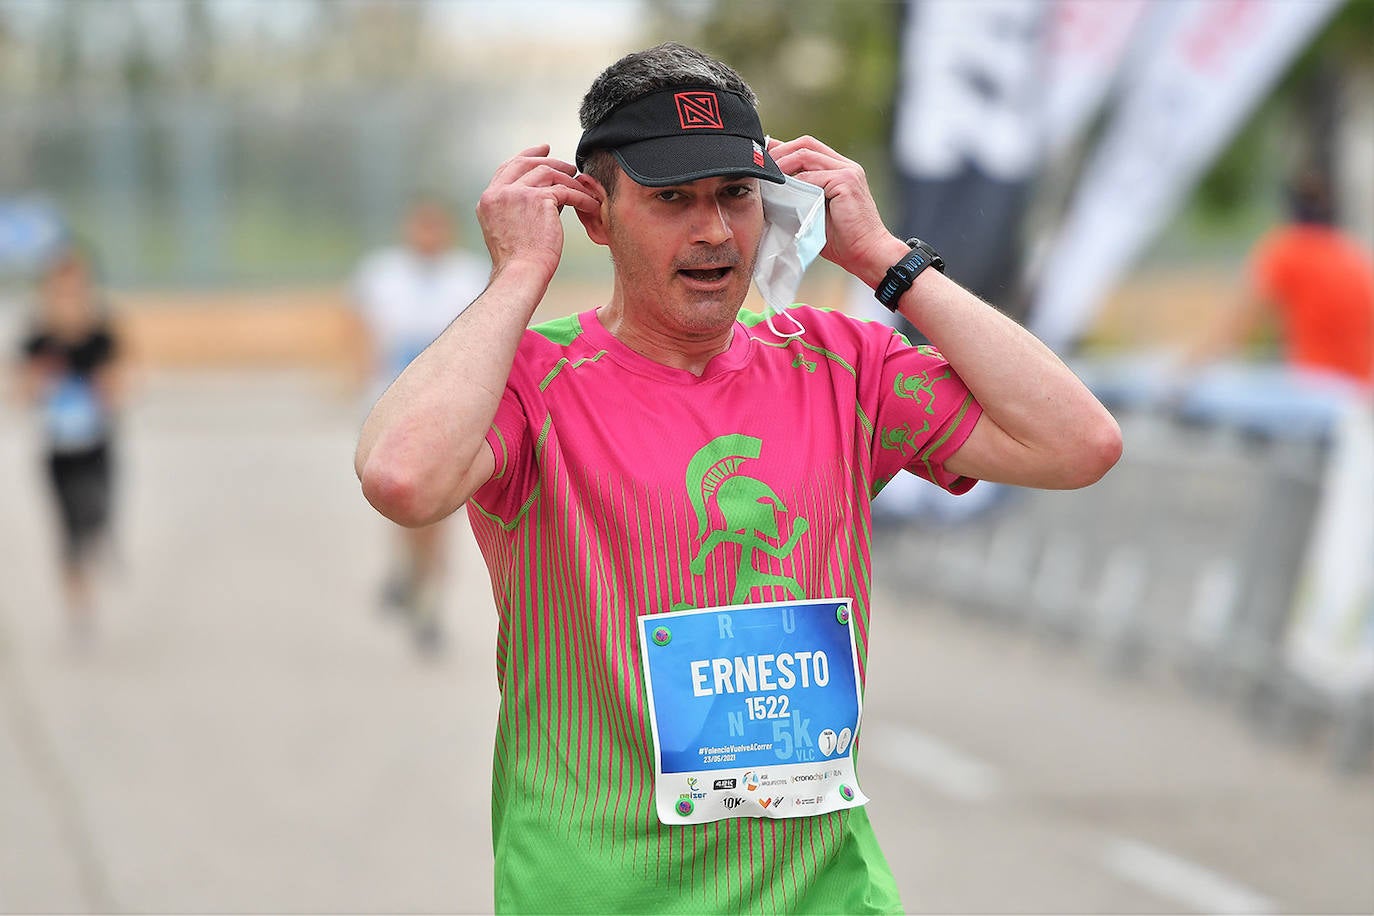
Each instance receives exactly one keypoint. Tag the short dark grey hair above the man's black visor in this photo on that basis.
(660, 68)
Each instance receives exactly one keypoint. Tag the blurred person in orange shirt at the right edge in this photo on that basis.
(1318, 282)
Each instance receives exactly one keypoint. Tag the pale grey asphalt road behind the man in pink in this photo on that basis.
(248, 734)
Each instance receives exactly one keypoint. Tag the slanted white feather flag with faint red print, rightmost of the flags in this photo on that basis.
(1211, 64)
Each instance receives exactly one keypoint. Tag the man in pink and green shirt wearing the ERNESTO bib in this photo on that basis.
(651, 465)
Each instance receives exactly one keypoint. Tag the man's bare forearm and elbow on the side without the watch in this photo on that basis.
(420, 447)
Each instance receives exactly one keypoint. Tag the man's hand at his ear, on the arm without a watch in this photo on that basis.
(519, 211)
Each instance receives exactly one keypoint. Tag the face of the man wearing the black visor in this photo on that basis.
(685, 255)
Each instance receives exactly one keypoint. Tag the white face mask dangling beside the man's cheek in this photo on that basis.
(795, 231)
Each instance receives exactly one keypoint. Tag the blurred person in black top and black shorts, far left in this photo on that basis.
(71, 370)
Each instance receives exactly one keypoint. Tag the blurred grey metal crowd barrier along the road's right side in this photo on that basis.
(1182, 562)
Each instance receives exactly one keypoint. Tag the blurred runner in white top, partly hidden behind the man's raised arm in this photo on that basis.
(407, 295)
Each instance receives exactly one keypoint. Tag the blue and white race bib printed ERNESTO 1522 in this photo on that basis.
(755, 711)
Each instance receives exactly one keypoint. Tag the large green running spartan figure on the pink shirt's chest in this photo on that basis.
(750, 509)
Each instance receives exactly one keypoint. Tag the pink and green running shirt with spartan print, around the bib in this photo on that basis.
(608, 490)
